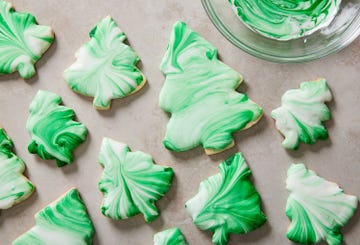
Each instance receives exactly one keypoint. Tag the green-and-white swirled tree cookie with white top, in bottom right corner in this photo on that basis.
(317, 208)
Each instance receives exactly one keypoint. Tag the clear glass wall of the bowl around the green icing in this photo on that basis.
(341, 32)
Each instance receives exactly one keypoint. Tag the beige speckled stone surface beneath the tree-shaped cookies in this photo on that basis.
(138, 121)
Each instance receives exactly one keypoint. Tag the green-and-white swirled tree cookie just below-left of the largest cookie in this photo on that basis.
(131, 182)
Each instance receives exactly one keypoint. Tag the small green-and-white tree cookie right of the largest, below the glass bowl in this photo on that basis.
(302, 111)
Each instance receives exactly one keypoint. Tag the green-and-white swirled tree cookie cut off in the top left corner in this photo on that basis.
(22, 41)
